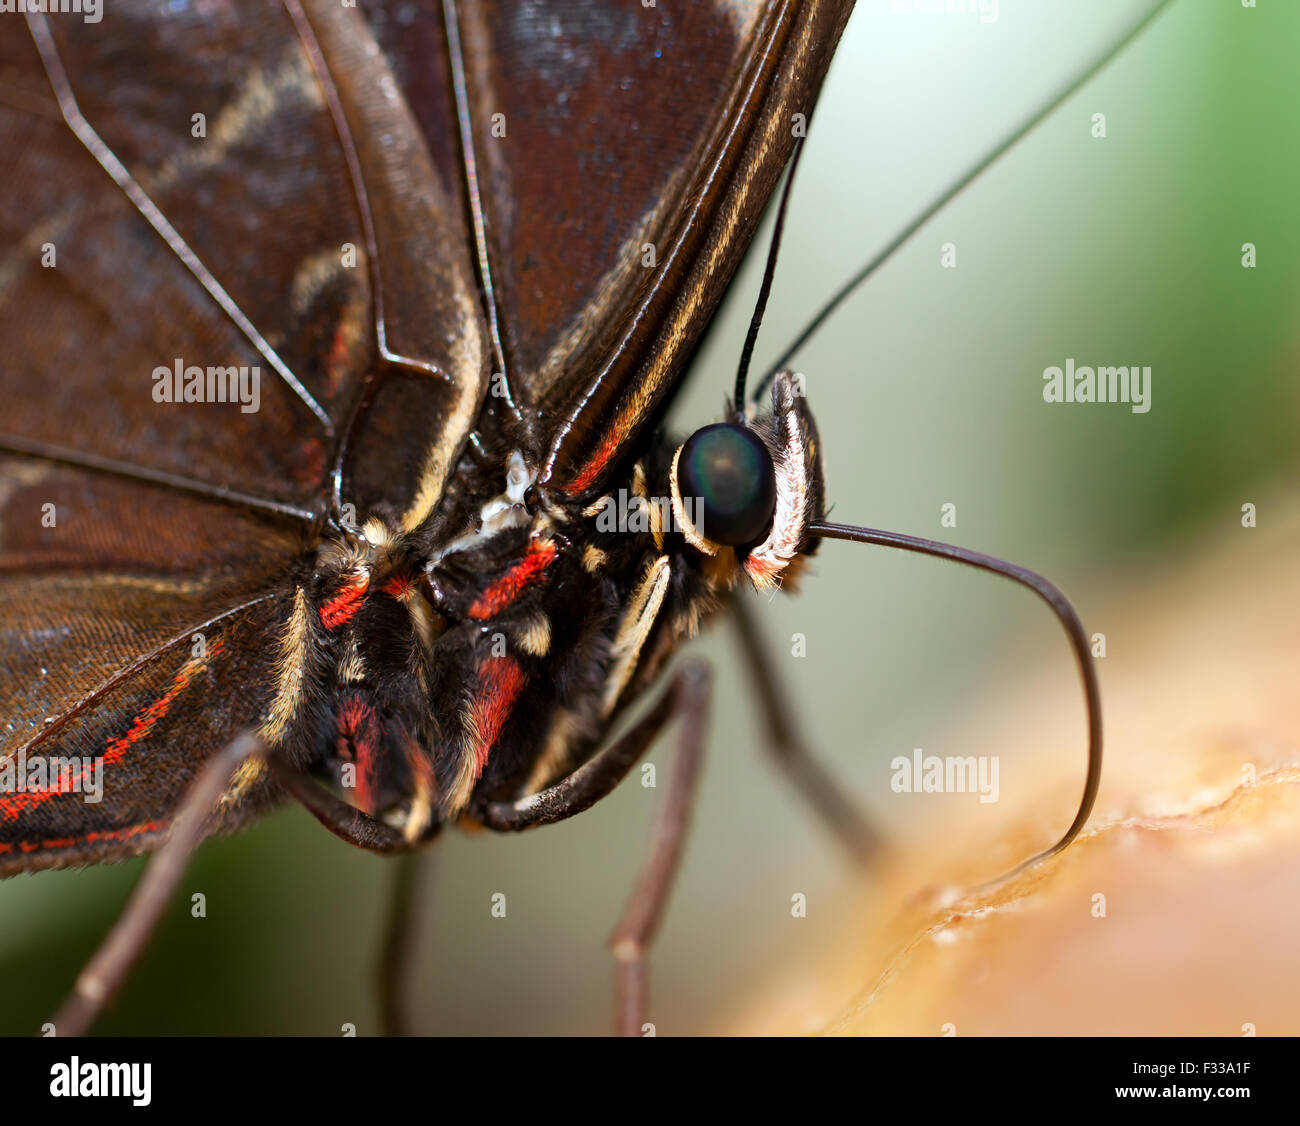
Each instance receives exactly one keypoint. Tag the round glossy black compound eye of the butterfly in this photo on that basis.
(729, 484)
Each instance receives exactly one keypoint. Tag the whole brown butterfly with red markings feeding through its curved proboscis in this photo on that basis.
(335, 467)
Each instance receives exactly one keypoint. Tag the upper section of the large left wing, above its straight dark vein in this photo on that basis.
(304, 210)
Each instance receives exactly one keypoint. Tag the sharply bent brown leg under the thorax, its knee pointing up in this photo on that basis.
(686, 698)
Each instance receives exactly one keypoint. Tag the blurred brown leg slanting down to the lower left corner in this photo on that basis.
(111, 964)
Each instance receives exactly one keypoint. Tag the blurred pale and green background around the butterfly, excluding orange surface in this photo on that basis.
(928, 388)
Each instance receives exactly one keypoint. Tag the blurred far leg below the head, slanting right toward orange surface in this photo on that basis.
(839, 813)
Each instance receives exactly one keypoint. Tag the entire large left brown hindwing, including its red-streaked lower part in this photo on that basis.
(306, 232)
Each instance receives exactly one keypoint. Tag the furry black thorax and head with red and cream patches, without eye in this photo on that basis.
(484, 656)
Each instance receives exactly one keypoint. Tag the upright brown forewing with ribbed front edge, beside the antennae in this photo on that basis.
(603, 128)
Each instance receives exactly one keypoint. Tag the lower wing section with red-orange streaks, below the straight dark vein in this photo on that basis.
(135, 627)
